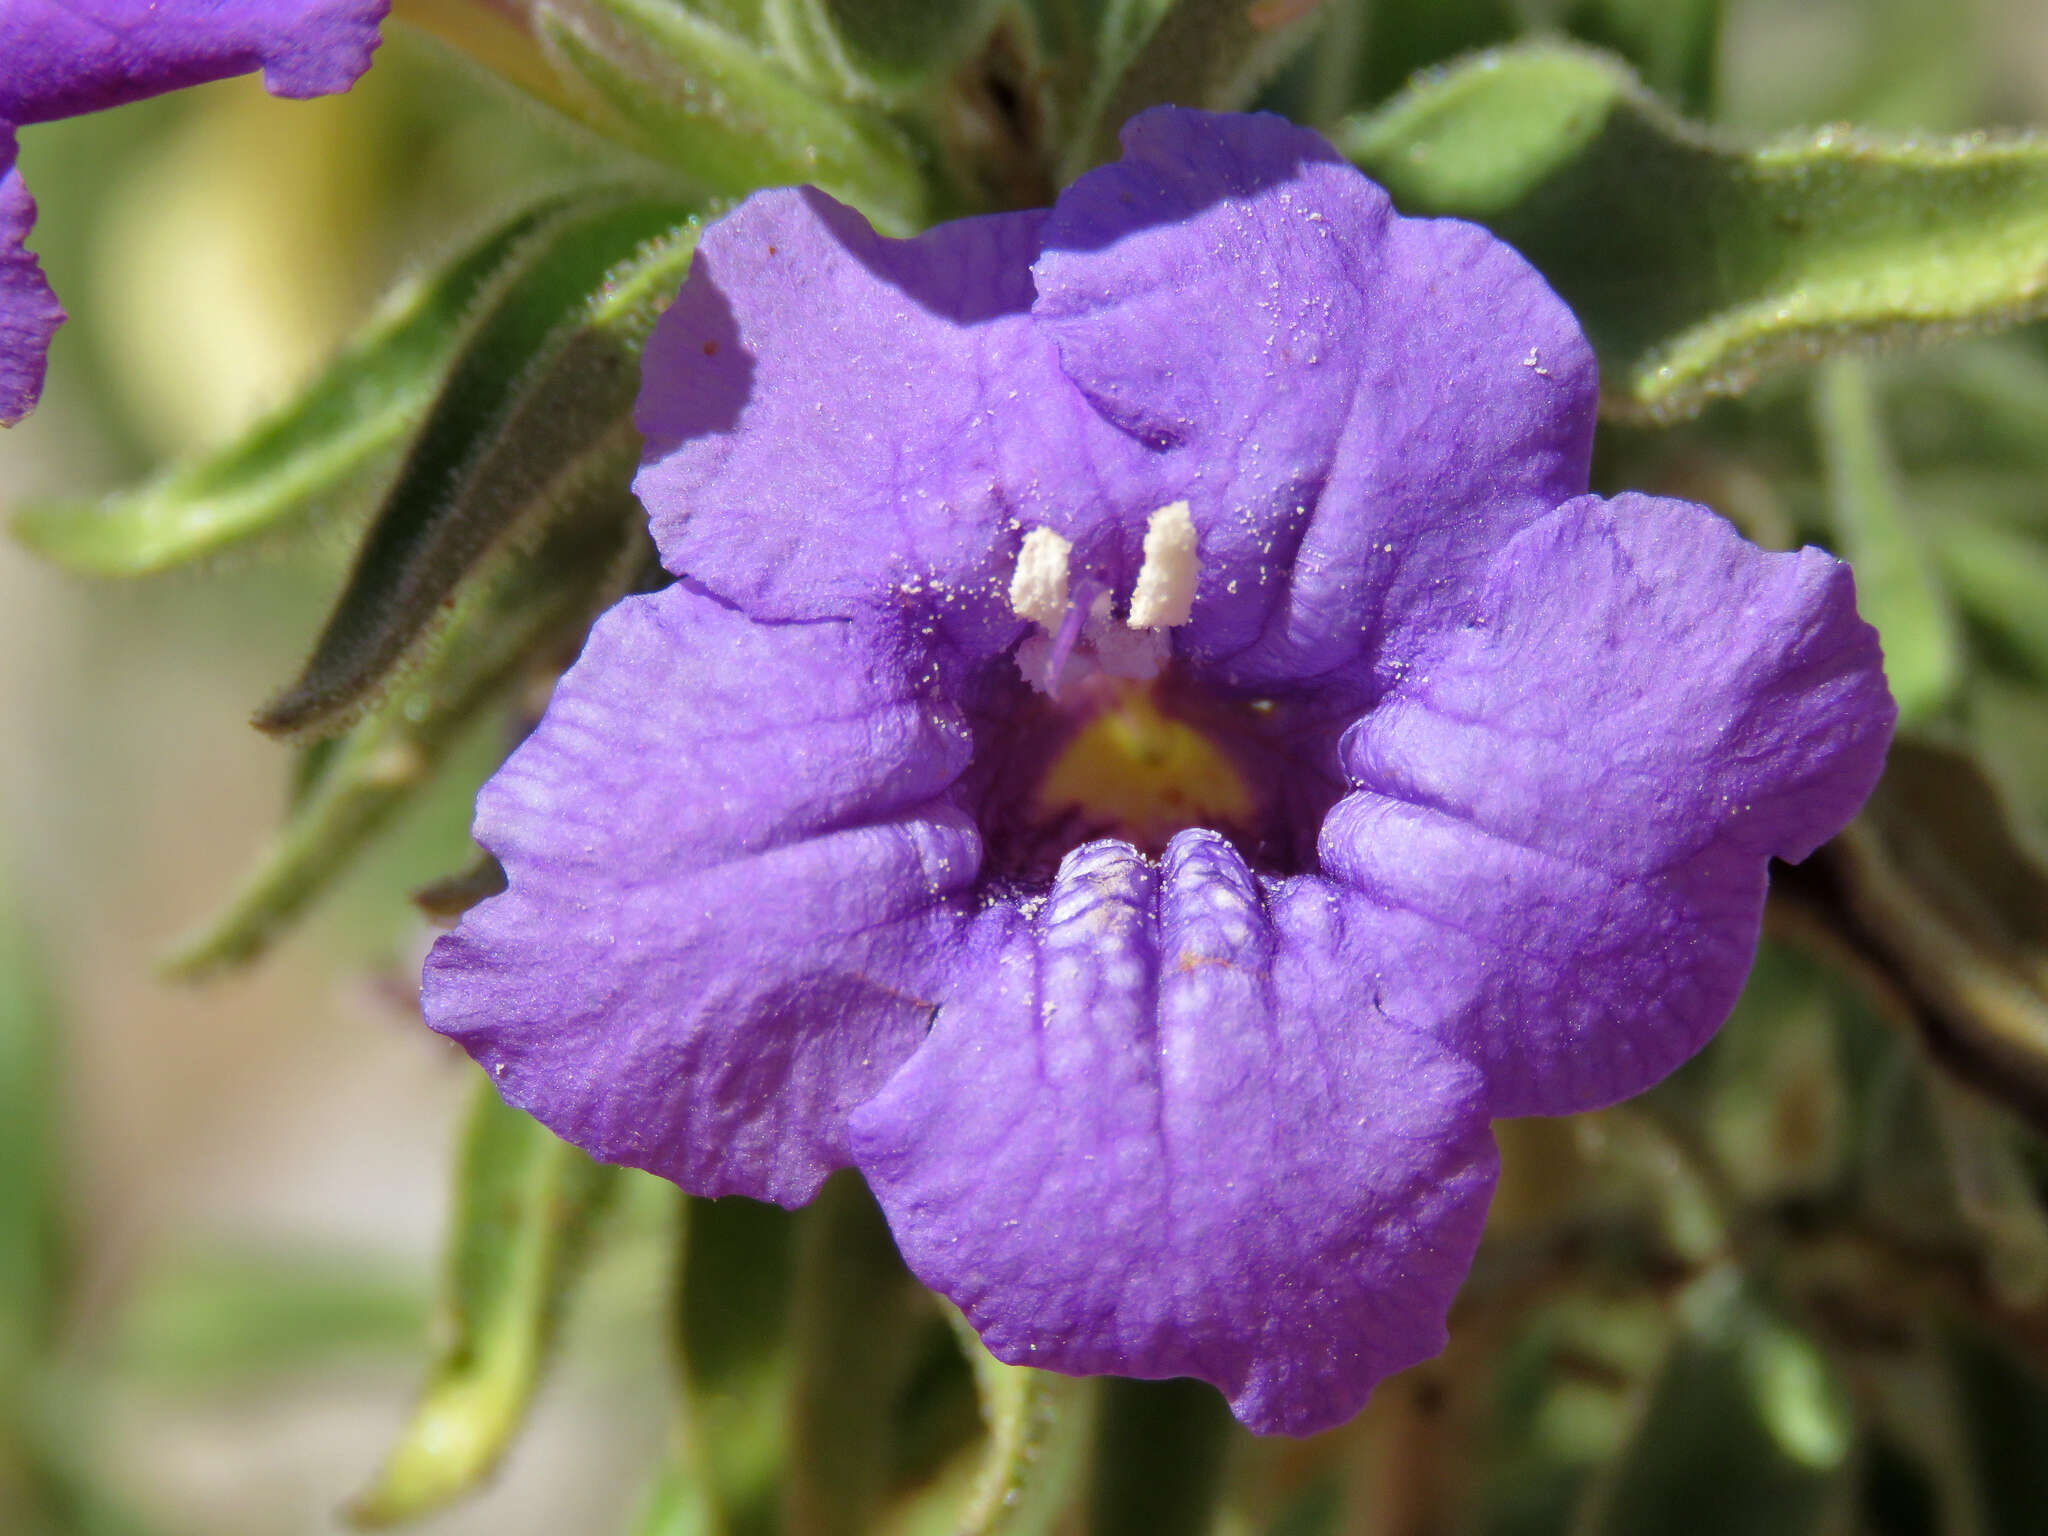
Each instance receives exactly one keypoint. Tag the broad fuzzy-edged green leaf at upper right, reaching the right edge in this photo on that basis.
(1697, 265)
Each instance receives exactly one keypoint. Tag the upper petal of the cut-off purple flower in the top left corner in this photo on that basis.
(83, 56)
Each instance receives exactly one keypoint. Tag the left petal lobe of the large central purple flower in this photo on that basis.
(730, 859)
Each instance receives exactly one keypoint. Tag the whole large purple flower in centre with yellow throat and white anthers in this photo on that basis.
(1150, 753)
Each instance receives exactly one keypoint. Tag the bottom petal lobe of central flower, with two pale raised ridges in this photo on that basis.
(1162, 1132)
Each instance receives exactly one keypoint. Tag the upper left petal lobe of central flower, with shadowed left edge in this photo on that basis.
(833, 415)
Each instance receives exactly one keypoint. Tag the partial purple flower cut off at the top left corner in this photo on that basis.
(60, 58)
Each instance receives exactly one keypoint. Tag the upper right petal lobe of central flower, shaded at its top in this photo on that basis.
(1363, 407)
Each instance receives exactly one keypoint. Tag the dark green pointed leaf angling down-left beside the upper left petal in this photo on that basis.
(536, 415)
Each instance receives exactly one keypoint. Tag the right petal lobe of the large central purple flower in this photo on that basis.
(1568, 806)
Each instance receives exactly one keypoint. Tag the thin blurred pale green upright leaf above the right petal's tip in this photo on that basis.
(1895, 577)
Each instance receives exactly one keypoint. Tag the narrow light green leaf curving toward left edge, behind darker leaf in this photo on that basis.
(333, 433)
